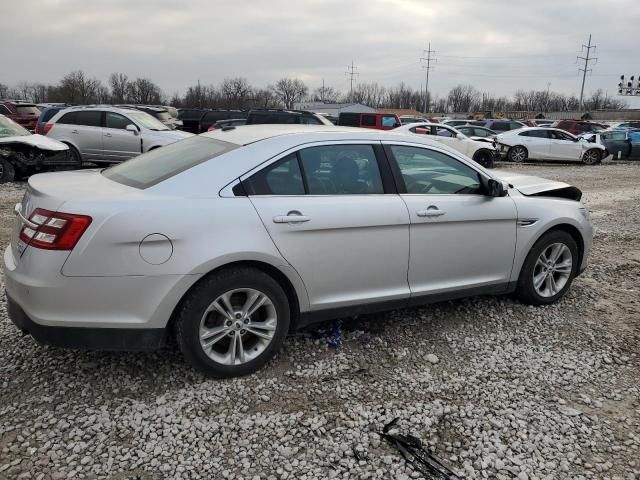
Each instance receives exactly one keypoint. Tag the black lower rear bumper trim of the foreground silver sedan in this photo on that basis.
(128, 339)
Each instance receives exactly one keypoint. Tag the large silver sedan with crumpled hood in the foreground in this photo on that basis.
(231, 239)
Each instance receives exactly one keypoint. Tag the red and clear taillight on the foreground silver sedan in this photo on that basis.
(54, 230)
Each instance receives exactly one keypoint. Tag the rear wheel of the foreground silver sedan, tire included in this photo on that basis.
(225, 325)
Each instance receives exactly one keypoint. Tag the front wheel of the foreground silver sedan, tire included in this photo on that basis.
(534, 268)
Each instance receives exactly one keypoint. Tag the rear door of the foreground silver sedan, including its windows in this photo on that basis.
(332, 211)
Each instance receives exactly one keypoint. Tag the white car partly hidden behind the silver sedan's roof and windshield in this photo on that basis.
(479, 151)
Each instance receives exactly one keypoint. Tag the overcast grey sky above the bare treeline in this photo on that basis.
(497, 45)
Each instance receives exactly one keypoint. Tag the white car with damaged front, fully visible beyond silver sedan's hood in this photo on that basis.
(541, 143)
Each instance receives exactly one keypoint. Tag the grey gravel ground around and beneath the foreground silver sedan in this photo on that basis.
(497, 389)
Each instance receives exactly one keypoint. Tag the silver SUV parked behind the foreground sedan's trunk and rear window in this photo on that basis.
(105, 134)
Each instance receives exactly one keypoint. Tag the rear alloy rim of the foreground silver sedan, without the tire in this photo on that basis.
(238, 326)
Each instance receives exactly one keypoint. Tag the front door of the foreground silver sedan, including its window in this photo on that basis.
(461, 239)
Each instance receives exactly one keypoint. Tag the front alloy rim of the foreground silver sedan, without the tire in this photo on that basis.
(552, 270)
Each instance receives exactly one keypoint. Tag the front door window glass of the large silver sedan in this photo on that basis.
(426, 171)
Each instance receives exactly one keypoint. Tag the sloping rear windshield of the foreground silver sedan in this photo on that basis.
(155, 166)
